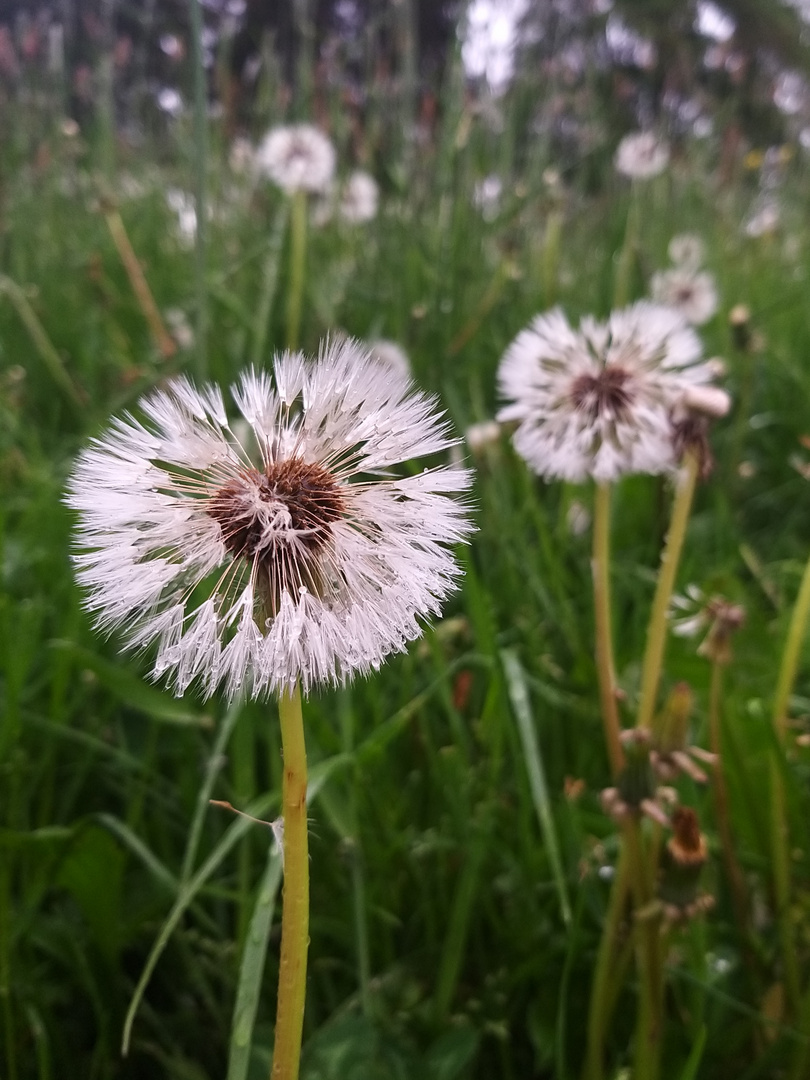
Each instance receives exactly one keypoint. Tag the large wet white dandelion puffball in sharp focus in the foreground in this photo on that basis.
(307, 563)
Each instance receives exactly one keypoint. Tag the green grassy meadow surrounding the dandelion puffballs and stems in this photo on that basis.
(461, 859)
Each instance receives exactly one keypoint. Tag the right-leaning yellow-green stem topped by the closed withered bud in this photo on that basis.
(657, 631)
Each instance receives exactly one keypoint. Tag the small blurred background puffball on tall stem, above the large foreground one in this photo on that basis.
(298, 158)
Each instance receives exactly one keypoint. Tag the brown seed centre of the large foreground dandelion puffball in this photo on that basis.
(310, 495)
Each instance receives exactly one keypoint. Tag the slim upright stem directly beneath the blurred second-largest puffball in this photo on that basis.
(605, 669)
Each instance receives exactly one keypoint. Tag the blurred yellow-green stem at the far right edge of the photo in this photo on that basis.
(780, 838)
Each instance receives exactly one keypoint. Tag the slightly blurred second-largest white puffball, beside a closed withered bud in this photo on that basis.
(599, 401)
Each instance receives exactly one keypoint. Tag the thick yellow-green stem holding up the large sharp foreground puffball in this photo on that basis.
(295, 900)
